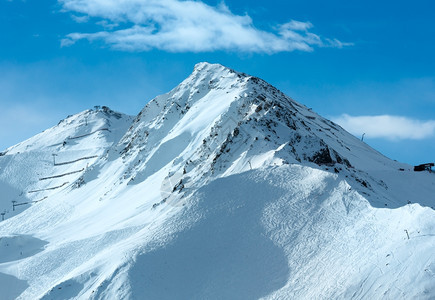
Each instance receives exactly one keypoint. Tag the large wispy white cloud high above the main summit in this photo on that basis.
(188, 26)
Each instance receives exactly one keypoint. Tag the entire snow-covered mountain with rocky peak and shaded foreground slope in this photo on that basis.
(224, 188)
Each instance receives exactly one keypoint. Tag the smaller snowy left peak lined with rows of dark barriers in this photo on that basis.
(53, 159)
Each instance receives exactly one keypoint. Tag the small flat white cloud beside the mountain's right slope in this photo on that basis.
(387, 127)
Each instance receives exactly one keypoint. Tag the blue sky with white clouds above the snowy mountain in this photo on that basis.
(368, 65)
